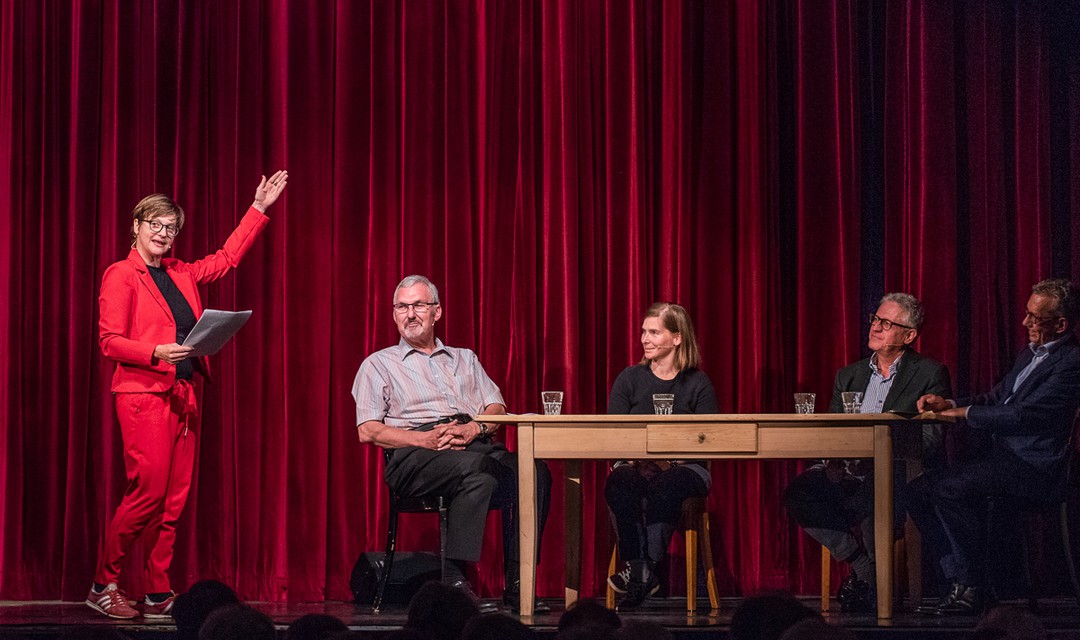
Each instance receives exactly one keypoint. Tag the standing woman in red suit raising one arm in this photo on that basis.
(148, 306)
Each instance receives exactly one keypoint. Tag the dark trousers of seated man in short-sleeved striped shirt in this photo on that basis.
(481, 478)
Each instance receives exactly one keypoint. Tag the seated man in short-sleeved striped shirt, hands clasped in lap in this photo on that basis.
(418, 400)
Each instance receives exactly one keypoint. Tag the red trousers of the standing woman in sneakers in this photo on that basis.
(159, 456)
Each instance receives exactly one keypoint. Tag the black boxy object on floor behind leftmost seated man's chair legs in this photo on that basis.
(410, 571)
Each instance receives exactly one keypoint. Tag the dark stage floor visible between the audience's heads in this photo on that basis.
(49, 620)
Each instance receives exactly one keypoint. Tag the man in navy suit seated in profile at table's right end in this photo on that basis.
(1025, 425)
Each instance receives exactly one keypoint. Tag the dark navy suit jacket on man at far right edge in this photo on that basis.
(1030, 435)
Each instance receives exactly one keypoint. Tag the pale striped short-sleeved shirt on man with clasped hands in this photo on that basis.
(406, 388)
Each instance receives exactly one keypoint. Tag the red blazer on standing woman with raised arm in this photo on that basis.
(136, 318)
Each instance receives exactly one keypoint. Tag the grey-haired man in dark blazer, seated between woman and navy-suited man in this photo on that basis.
(833, 499)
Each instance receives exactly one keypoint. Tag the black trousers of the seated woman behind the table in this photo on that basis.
(638, 500)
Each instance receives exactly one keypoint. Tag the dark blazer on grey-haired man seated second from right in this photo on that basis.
(916, 377)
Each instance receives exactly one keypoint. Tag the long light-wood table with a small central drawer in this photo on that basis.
(750, 437)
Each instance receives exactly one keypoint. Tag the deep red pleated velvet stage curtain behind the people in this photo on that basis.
(555, 167)
